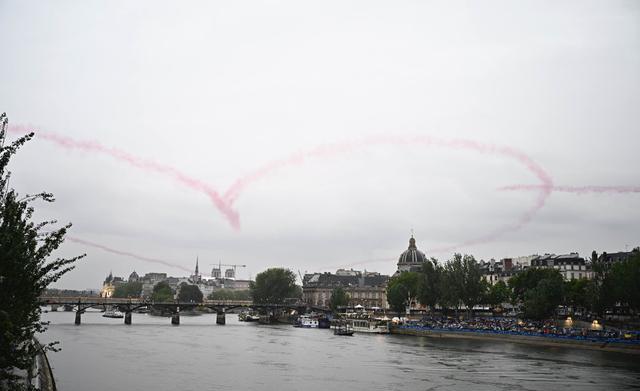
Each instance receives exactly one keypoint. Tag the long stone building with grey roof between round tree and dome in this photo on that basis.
(364, 288)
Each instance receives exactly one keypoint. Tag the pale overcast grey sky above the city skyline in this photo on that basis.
(340, 116)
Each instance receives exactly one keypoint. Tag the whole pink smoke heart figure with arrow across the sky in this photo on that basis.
(225, 202)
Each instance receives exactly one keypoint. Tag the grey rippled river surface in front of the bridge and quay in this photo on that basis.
(103, 354)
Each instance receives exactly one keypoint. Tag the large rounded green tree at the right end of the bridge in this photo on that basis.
(273, 286)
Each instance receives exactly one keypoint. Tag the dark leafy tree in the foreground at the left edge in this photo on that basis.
(25, 268)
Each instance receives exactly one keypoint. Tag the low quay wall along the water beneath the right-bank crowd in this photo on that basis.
(538, 340)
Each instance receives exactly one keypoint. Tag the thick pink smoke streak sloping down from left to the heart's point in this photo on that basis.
(144, 164)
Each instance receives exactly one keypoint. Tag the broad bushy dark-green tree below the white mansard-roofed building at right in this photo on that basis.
(539, 290)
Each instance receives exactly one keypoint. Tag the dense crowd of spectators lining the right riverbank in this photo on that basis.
(505, 325)
